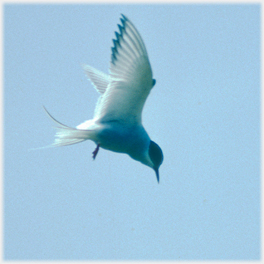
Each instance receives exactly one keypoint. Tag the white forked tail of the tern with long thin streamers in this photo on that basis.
(67, 135)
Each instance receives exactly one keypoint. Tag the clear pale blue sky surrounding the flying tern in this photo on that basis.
(204, 112)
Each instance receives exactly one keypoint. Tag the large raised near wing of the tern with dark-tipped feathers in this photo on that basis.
(130, 78)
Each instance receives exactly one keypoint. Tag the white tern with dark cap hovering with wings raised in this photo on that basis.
(116, 124)
